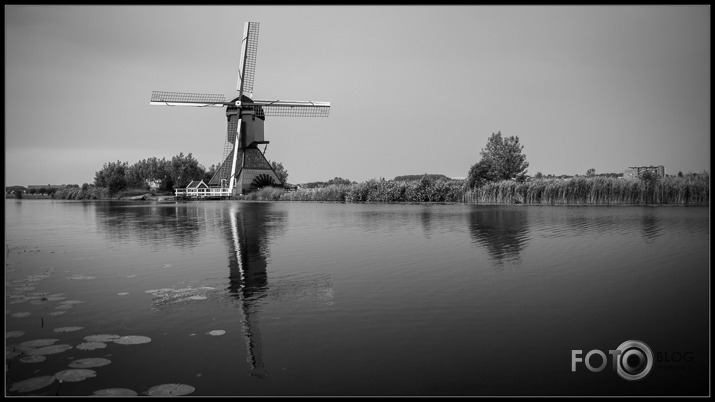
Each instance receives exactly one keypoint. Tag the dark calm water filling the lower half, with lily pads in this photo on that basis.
(358, 299)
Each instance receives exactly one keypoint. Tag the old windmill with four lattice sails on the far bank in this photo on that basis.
(244, 167)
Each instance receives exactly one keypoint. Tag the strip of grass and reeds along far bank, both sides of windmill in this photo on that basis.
(576, 191)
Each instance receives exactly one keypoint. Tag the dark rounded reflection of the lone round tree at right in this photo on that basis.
(502, 231)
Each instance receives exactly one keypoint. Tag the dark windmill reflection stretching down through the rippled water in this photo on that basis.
(250, 229)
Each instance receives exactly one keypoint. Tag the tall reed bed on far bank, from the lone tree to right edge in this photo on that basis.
(595, 190)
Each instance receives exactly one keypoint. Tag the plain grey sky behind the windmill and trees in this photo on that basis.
(413, 89)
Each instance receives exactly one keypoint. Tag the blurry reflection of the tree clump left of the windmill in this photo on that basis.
(151, 224)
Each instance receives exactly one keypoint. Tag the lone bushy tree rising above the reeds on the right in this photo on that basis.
(502, 159)
